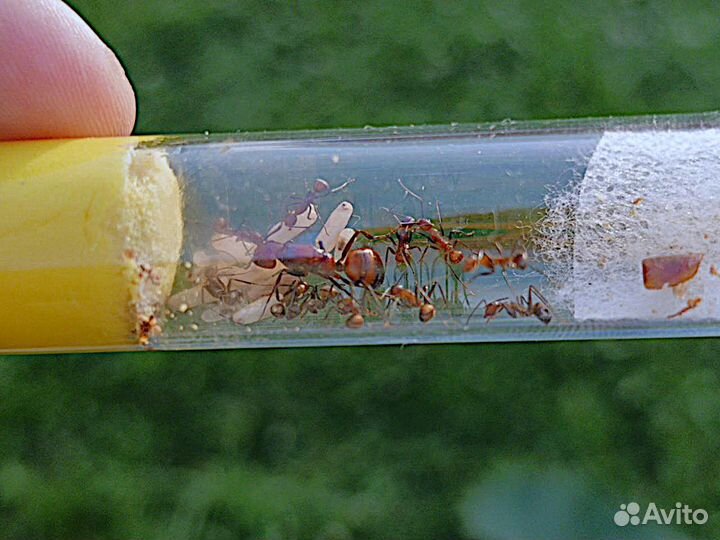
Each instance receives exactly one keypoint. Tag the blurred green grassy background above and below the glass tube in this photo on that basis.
(524, 441)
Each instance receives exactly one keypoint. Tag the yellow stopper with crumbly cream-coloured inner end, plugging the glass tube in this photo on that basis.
(90, 236)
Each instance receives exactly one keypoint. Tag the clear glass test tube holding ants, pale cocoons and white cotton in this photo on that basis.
(503, 232)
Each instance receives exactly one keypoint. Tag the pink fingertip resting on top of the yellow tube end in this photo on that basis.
(57, 78)
